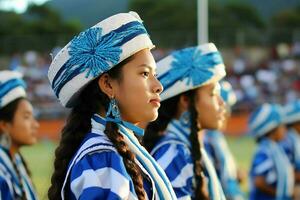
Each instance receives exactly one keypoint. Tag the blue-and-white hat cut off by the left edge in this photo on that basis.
(11, 87)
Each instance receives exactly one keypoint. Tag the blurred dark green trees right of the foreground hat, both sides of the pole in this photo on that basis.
(173, 23)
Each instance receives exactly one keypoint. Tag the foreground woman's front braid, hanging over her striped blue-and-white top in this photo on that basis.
(132, 168)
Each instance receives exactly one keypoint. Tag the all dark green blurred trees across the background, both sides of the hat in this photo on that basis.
(171, 23)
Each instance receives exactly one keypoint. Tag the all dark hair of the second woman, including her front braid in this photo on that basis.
(154, 132)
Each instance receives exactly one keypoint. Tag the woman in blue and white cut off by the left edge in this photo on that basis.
(18, 128)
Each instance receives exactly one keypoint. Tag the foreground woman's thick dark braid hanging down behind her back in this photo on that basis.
(77, 125)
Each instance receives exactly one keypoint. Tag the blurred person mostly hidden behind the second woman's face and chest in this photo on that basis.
(216, 146)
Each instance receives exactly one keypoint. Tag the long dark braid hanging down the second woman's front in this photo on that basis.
(200, 192)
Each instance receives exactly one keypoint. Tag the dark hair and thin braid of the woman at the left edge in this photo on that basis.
(7, 114)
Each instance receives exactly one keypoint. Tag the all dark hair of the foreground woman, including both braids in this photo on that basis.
(91, 100)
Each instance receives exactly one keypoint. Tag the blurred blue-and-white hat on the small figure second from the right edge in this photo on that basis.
(264, 119)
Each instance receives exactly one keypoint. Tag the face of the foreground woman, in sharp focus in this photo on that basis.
(138, 91)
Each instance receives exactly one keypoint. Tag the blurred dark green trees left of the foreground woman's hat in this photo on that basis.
(39, 28)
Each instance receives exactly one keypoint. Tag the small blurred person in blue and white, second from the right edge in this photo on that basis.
(271, 175)
